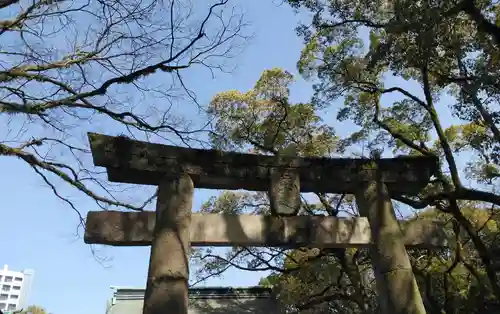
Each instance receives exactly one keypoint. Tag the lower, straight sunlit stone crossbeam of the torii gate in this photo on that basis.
(136, 229)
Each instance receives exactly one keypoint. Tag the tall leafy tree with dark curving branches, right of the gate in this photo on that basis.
(403, 69)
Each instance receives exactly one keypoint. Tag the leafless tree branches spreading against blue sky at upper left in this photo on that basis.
(68, 68)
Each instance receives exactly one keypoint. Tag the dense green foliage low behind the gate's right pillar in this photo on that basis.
(346, 281)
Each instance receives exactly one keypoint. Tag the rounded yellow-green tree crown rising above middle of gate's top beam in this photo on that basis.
(263, 119)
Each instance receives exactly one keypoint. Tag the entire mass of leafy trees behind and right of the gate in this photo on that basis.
(403, 78)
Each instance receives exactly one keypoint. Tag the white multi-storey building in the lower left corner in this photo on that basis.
(14, 288)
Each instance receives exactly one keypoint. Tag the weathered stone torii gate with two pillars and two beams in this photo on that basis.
(172, 229)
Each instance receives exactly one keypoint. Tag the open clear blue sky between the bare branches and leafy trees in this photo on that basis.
(38, 231)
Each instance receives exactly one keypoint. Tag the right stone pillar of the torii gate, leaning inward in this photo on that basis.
(397, 288)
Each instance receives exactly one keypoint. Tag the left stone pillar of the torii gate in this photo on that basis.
(168, 274)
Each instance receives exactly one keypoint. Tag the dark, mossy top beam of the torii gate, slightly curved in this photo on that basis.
(138, 162)
